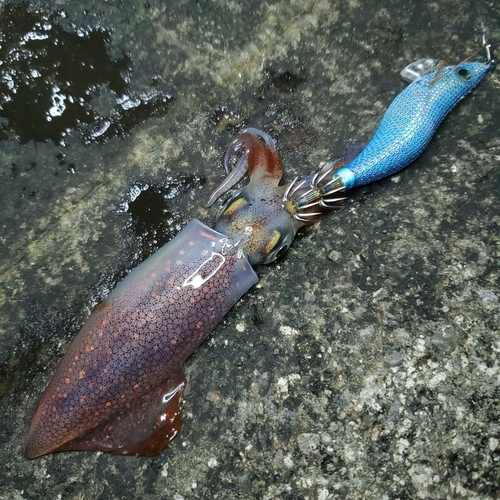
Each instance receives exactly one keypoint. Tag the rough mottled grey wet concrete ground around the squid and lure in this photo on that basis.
(365, 363)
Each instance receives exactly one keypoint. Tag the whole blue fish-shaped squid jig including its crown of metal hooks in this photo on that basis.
(404, 132)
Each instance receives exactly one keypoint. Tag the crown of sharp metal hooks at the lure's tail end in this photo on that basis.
(314, 192)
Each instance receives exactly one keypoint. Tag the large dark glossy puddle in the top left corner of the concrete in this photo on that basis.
(53, 80)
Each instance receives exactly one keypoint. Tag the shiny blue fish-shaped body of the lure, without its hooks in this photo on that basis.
(410, 122)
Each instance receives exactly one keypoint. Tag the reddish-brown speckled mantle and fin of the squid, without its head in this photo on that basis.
(119, 387)
